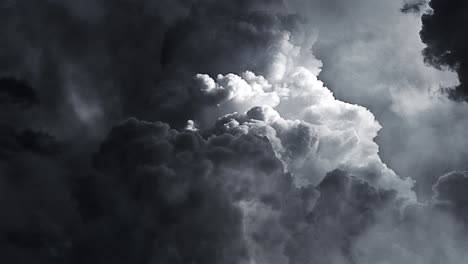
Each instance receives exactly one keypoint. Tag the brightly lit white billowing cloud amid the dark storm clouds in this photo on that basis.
(311, 131)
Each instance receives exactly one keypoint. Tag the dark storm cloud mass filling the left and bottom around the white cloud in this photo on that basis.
(152, 194)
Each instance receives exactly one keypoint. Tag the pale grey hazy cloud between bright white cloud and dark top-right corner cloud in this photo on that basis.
(372, 57)
